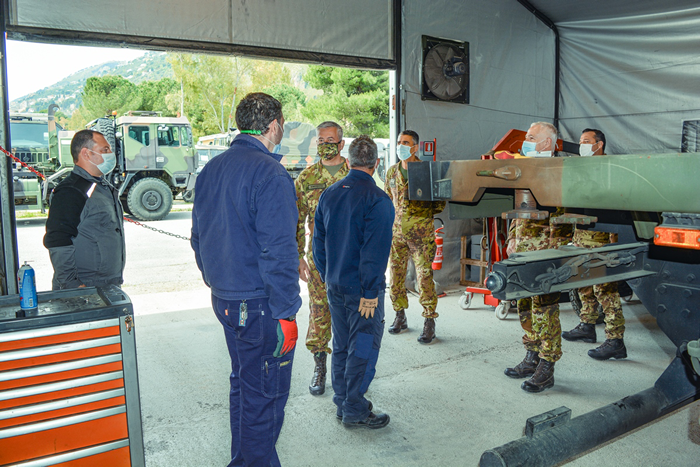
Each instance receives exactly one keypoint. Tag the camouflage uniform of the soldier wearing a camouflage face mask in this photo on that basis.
(311, 182)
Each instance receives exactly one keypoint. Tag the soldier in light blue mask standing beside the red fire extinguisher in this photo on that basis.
(414, 236)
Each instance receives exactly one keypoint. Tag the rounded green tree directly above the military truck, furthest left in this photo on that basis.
(107, 94)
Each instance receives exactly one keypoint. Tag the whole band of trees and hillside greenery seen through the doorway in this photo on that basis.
(212, 86)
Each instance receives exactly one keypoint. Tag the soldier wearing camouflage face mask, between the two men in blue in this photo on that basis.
(311, 182)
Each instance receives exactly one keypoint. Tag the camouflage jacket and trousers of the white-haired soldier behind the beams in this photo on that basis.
(539, 315)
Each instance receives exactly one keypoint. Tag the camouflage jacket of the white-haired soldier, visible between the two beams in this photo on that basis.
(533, 235)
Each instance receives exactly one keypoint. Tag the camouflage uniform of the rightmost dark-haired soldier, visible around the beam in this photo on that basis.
(605, 294)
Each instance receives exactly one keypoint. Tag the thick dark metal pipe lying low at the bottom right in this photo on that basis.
(579, 435)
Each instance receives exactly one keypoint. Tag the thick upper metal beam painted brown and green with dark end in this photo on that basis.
(630, 182)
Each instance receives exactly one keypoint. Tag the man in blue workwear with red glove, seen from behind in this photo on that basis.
(244, 224)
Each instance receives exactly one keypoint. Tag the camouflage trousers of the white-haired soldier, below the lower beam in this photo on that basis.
(539, 318)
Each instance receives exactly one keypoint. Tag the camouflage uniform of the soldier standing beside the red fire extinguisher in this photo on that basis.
(414, 235)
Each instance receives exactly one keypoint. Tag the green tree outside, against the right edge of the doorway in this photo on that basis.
(357, 99)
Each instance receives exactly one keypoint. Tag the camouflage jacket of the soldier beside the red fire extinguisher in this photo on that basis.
(409, 214)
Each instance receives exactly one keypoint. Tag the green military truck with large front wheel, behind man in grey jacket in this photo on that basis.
(156, 160)
